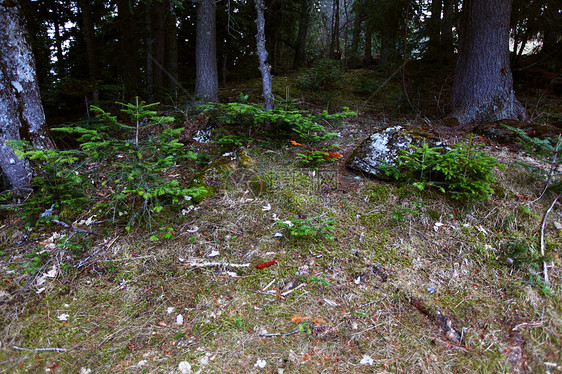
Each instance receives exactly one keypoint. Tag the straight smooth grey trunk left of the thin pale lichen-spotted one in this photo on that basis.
(206, 76)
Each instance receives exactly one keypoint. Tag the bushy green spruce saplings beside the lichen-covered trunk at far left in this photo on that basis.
(114, 171)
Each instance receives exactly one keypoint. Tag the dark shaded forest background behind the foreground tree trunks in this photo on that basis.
(102, 52)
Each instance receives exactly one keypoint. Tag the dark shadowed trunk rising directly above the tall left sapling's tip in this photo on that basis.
(128, 53)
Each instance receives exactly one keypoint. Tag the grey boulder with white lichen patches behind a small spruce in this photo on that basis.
(383, 148)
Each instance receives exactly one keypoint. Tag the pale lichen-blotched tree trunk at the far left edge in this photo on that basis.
(21, 112)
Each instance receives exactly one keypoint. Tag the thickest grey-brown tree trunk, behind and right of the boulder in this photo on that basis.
(483, 88)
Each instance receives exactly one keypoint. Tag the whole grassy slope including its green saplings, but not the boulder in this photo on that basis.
(143, 250)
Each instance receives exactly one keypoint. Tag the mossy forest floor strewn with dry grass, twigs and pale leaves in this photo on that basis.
(411, 281)
